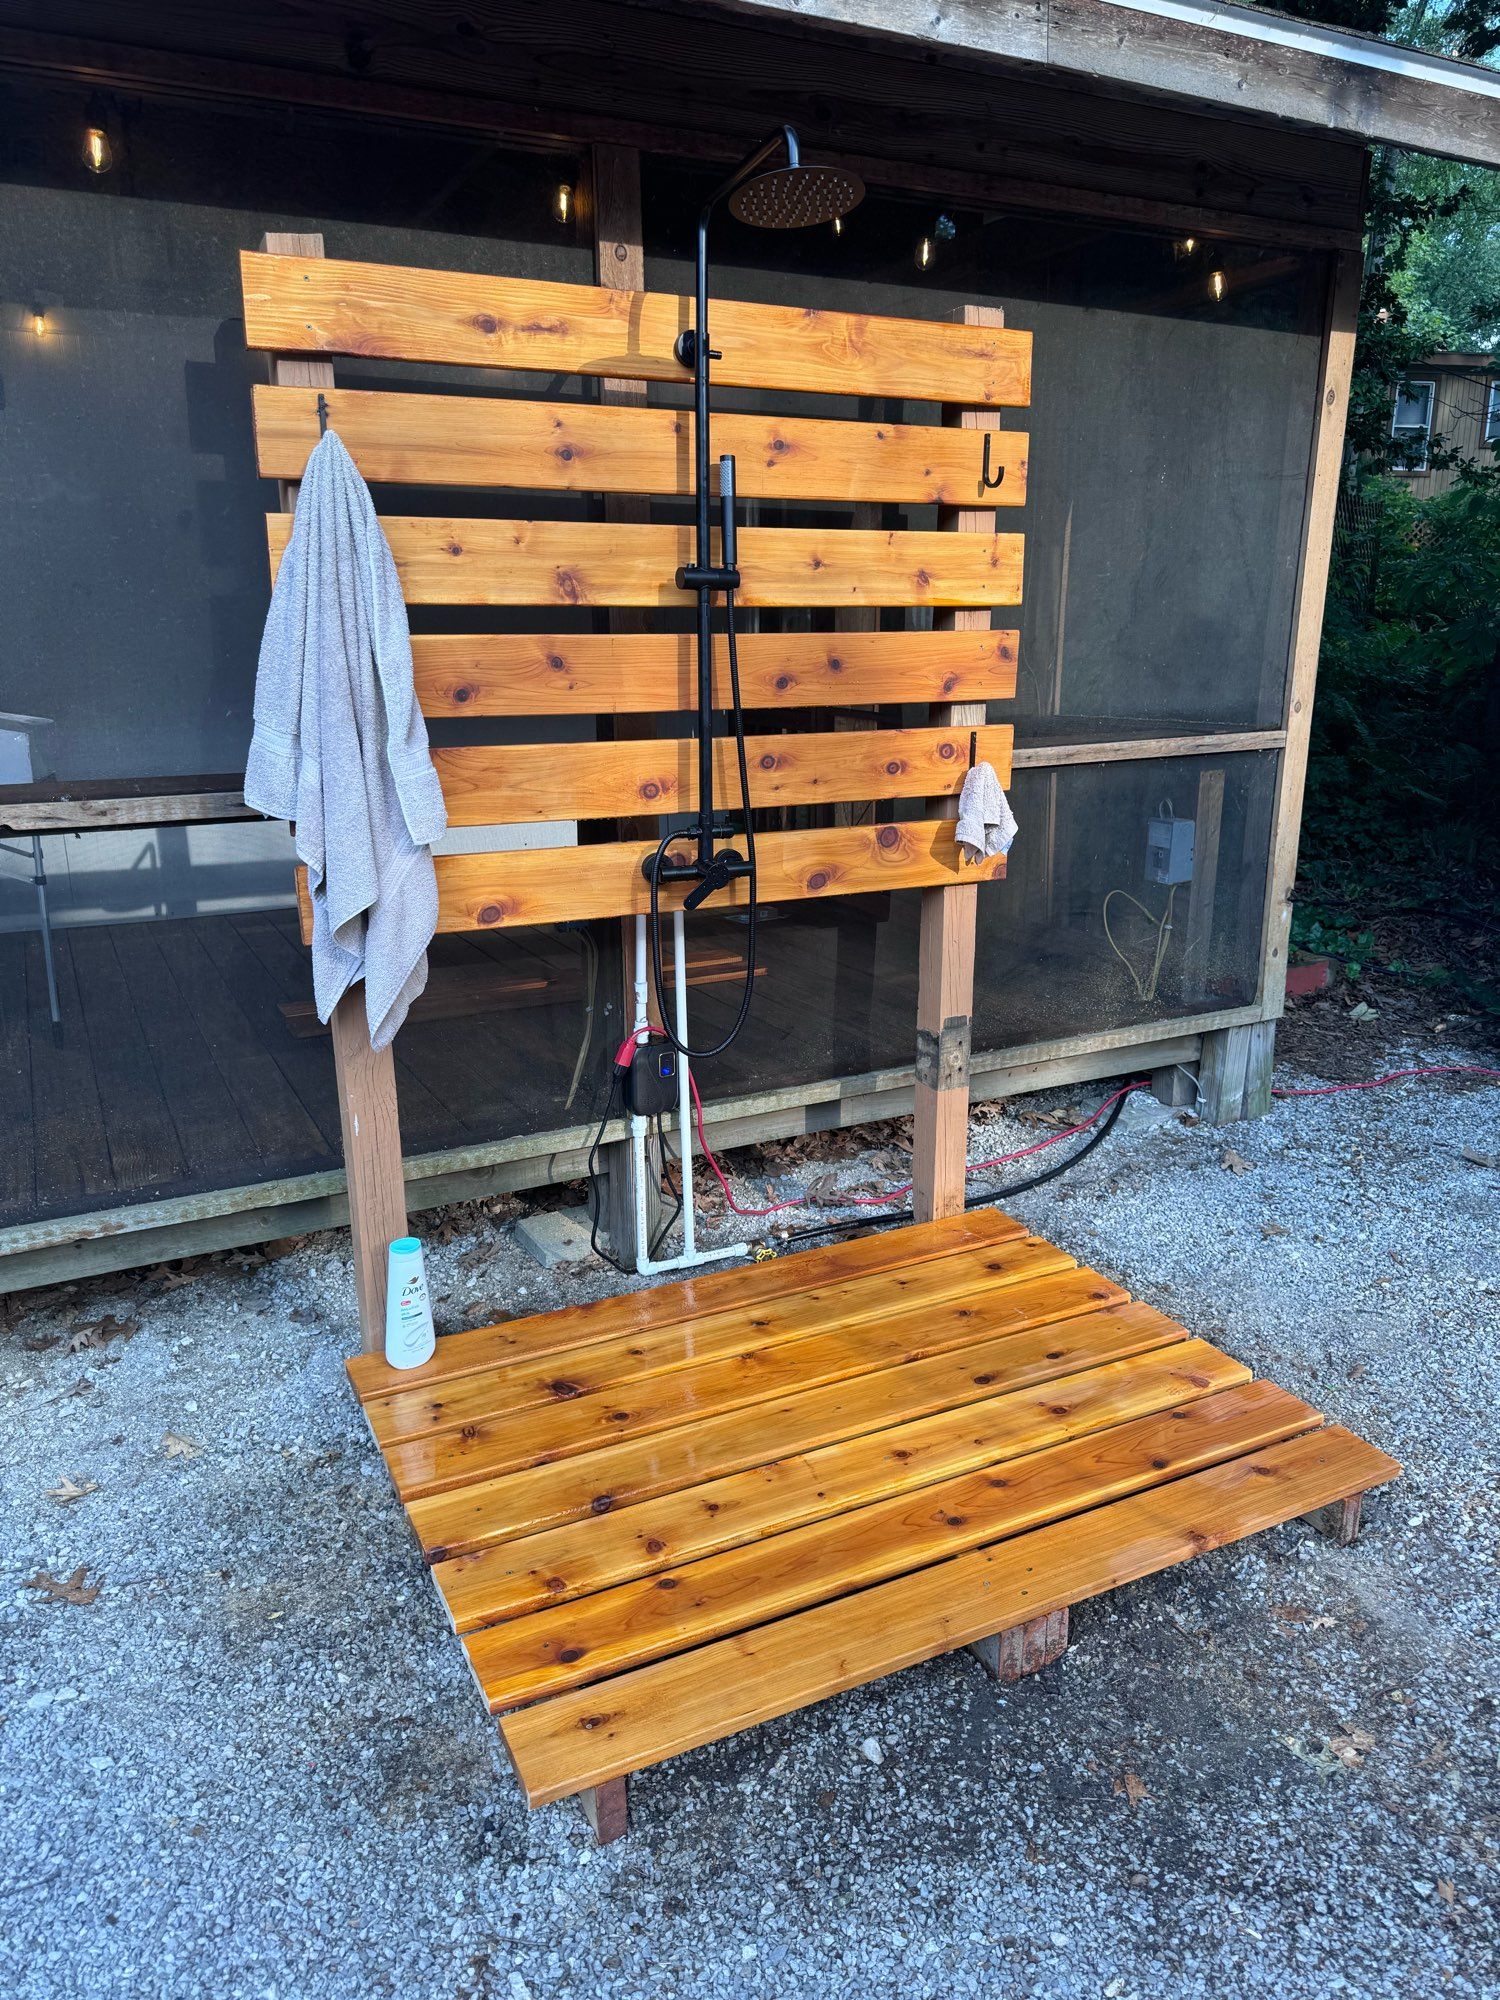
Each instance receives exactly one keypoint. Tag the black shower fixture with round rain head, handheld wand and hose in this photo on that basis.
(789, 195)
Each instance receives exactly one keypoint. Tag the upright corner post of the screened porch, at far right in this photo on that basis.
(1325, 473)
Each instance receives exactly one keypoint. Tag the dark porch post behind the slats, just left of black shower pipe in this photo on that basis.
(621, 267)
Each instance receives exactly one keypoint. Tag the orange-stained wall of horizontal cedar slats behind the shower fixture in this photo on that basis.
(961, 573)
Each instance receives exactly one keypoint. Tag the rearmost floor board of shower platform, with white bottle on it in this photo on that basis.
(689, 1299)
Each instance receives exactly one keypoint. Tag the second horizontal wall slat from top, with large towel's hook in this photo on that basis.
(587, 447)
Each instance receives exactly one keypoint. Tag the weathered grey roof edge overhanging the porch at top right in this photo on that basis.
(1239, 61)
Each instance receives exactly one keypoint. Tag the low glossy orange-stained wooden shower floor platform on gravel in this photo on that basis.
(665, 1517)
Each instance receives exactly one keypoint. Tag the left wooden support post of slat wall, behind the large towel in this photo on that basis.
(367, 1079)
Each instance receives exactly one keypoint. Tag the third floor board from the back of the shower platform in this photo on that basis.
(695, 1395)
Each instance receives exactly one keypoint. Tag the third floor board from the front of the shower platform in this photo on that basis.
(745, 1507)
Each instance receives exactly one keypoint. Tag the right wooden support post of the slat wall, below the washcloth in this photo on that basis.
(945, 981)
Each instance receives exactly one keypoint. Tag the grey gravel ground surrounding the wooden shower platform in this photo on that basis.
(255, 1763)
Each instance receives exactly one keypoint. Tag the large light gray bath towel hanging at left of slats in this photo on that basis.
(341, 747)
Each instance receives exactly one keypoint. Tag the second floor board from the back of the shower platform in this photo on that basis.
(623, 1365)
